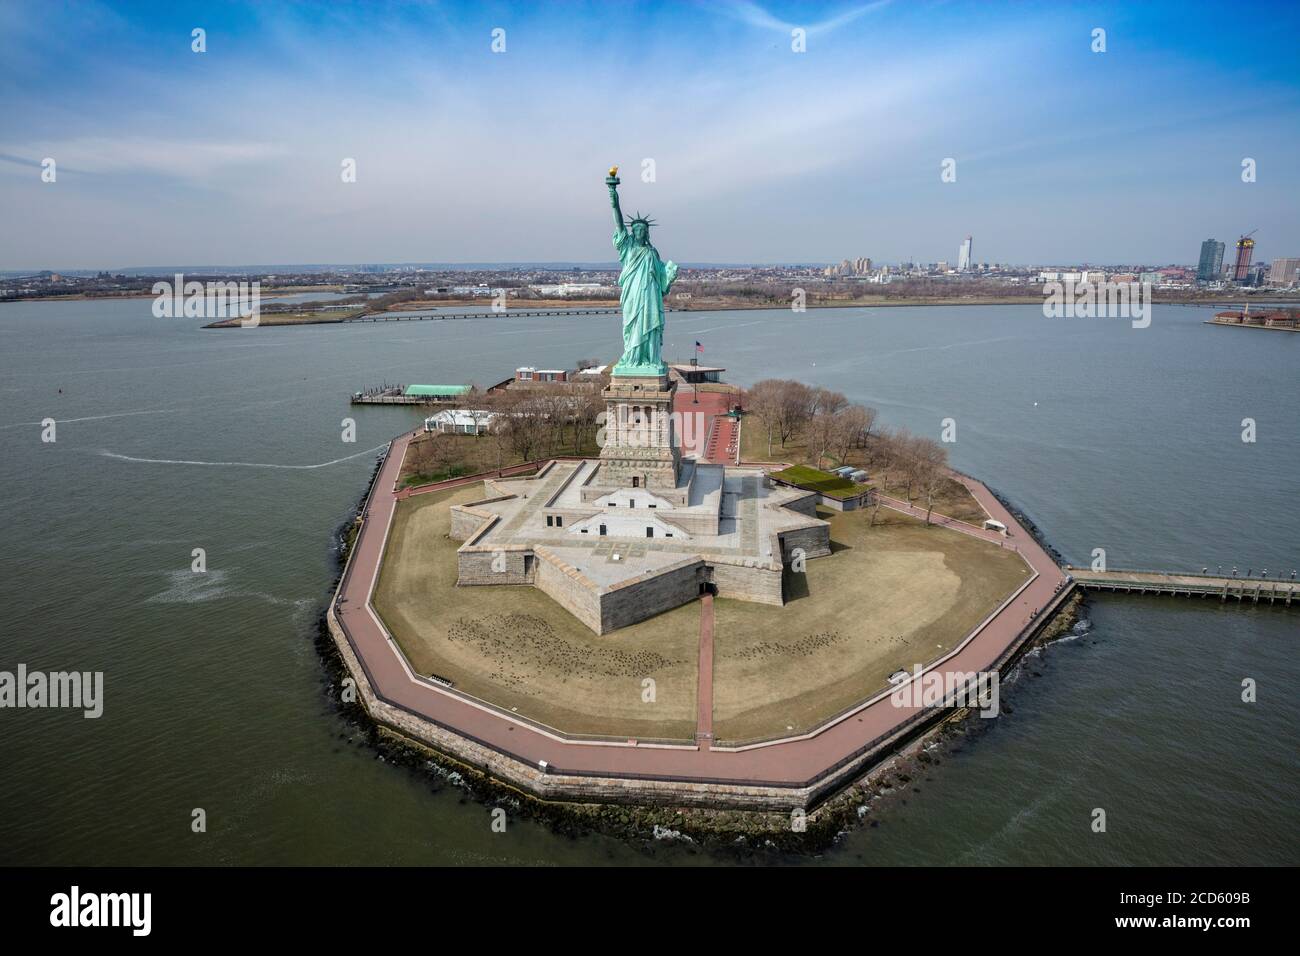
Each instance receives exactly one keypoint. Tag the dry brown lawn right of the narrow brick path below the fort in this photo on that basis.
(890, 596)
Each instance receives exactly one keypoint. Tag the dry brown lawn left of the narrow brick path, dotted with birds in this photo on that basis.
(517, 648)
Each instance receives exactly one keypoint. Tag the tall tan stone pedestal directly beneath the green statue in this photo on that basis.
(640, 448)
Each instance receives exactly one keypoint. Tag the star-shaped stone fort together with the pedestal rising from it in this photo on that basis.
(639, 531)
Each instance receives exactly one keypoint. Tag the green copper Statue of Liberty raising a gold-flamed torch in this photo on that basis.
(644, 282)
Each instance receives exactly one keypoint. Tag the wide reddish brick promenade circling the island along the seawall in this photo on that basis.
(790, 763)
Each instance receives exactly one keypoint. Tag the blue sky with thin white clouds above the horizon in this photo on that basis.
(233, 157)
